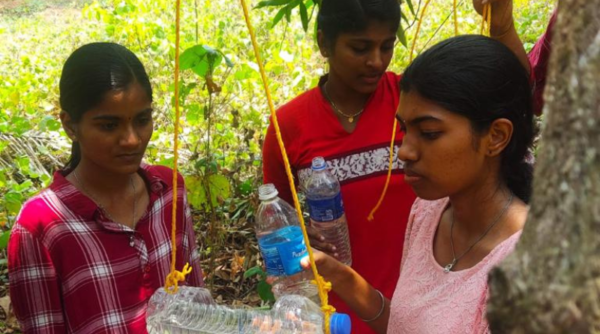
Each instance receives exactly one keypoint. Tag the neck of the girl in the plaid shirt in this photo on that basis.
(100, 181)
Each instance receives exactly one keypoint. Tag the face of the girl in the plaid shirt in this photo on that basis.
(114, 135)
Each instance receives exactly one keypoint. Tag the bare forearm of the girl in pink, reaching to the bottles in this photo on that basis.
(354, 290)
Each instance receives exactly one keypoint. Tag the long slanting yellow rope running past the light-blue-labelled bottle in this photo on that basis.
(323, 286)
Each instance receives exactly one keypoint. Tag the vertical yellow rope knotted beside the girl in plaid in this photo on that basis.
(175, 276)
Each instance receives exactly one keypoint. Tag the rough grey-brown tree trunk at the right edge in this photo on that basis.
(551, 283)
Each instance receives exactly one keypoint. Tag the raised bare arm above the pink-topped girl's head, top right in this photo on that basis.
(503, 27)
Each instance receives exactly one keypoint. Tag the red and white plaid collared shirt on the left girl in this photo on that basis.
(73, 270)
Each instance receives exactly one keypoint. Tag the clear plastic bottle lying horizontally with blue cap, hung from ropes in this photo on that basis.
(192, 310)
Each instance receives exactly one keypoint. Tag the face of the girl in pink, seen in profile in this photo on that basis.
(442, 155)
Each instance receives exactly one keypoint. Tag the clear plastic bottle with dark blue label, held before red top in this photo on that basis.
(327, 209)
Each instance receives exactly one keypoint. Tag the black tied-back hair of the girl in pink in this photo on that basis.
(482, 80)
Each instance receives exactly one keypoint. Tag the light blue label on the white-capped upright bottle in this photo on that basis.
(282, 251)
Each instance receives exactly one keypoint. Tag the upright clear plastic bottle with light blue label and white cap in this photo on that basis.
(282, 245)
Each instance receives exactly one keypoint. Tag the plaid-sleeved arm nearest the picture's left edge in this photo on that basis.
(34, 284)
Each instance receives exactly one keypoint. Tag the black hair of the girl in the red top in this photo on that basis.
(347, 16)
